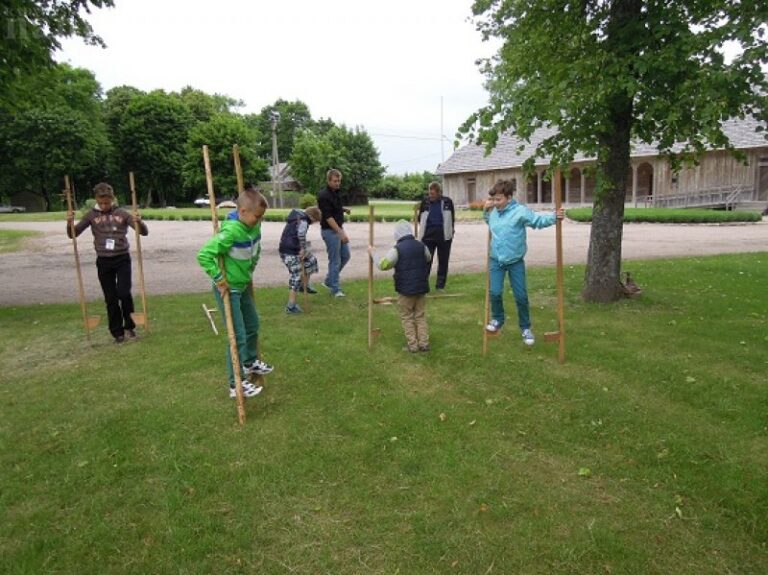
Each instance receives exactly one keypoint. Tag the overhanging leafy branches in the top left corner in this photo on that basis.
(31, 34)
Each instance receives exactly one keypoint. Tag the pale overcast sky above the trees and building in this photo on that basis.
(384, 66)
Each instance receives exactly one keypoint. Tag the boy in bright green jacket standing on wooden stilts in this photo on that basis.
(238, 244)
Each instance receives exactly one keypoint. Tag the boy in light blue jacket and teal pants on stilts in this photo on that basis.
(507, 221)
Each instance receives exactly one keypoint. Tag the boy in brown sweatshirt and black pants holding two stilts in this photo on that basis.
(109, 225)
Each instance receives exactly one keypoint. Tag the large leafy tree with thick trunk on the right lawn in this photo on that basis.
(603, 72)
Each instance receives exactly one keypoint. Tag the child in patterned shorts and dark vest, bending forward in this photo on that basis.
(294, 251)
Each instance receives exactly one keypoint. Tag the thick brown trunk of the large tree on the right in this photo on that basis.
(602, 281)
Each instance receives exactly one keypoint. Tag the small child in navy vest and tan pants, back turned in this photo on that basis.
(411, 259)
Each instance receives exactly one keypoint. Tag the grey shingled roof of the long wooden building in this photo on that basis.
(471, 158)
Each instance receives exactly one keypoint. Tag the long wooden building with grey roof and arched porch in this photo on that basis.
(718, 180)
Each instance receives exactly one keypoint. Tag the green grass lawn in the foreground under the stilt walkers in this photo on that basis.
(645, 453)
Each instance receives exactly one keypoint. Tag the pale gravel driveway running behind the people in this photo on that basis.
(44, 271)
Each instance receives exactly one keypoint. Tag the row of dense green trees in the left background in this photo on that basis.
(64, 125)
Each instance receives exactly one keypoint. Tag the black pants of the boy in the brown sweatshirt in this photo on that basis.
(115, 280)
